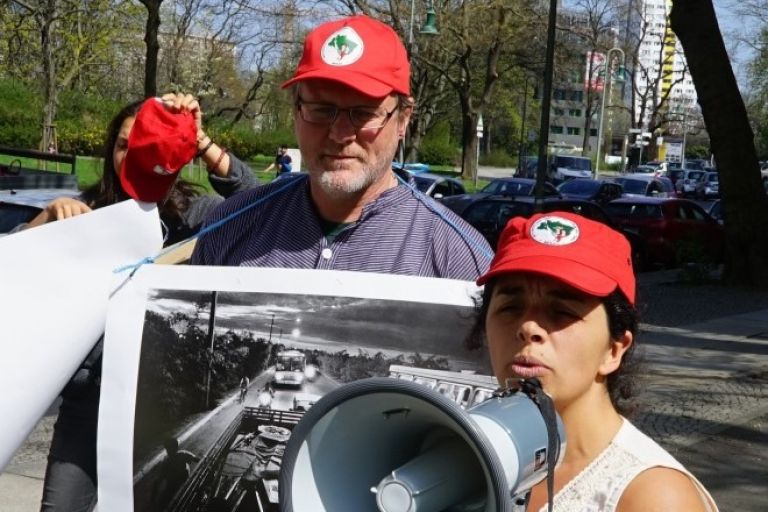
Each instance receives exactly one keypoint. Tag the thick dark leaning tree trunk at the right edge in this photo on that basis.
(744, 201)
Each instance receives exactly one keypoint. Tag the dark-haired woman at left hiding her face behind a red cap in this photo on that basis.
(70, 479)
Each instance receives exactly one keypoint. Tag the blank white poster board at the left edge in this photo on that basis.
(56, 280)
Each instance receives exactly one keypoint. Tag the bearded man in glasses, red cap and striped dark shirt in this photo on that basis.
(352, 106)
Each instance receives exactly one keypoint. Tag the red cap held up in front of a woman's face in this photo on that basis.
(160, 144)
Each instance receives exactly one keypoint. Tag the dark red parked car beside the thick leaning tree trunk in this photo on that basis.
(669, 226)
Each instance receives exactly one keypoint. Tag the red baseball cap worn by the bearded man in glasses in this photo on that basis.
(359, 52)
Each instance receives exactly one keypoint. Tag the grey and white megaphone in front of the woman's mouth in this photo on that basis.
(391, 445)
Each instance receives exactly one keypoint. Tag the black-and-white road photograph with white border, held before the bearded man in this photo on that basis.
(224, 373)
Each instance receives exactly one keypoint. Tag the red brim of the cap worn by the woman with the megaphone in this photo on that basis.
(573, 273)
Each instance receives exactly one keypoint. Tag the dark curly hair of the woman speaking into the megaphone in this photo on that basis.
(622, 316)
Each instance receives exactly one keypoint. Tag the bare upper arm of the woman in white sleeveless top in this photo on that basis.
(661, 489)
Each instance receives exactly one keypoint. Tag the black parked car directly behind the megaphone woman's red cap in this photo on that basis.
(490, 214)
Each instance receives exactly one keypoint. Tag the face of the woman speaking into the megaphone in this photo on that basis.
(540, 327)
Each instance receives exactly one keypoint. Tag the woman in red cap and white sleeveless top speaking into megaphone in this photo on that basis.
(558, 305)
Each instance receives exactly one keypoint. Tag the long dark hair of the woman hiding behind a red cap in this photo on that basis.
(108, 190)
